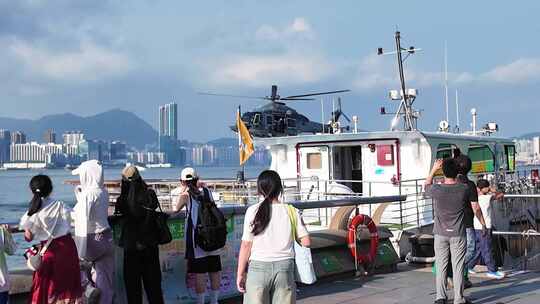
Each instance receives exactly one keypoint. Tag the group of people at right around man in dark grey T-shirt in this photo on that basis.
(462, 226)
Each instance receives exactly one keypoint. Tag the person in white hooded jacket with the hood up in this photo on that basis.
(93, 235)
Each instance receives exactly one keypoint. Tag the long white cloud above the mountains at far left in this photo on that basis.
(89, 62)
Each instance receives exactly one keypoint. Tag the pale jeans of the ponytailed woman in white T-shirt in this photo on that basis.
(270, 282)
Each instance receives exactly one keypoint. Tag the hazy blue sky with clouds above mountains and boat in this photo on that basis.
(86, 57)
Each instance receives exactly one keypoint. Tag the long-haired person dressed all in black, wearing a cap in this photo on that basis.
(139, 238)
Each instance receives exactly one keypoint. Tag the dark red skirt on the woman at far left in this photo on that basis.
(58, 279)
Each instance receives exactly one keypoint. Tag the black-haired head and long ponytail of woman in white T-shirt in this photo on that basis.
(268, 185)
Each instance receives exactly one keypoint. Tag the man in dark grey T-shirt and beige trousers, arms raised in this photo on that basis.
(450, 200)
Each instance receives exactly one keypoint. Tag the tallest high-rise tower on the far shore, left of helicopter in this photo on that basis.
(168, 134)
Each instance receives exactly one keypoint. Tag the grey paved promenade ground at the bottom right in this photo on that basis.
(417, 285)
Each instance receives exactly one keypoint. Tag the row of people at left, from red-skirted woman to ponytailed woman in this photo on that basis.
(77, 251)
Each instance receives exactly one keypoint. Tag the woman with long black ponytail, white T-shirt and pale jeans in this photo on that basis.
(268, 248)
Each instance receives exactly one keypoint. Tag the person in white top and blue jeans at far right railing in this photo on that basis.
(483, 242)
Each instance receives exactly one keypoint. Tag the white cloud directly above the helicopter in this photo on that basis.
(295, 60)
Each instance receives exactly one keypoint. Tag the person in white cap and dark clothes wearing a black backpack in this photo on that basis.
(199, 262)
